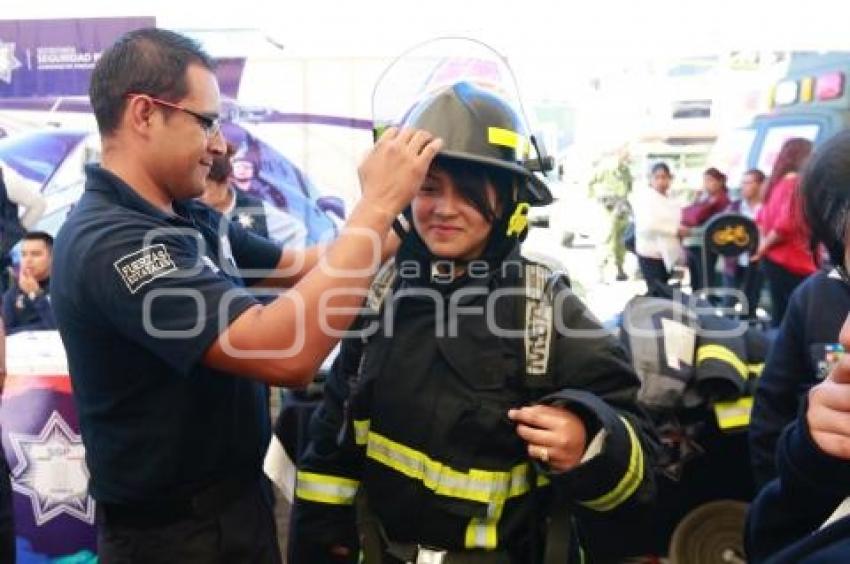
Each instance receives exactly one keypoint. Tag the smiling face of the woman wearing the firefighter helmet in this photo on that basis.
(449, 224)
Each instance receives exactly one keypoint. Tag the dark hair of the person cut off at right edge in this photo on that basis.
(825, 190)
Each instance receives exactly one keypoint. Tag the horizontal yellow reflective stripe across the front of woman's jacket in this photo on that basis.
(483, 486)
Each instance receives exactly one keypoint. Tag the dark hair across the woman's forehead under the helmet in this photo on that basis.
(471, 179)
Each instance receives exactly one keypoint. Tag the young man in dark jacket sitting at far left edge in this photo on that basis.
(26, 305)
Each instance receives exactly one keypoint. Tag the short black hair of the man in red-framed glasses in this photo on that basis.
(144, 61)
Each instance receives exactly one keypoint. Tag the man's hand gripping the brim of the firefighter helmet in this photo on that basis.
(395, 168)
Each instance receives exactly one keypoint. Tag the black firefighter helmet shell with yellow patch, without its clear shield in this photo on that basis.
(477, 125)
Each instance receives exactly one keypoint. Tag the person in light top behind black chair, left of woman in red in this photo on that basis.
(741, 273)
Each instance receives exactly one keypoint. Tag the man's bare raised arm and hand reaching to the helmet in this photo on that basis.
(285, 342)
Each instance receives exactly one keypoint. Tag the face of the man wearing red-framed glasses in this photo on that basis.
(183, 148)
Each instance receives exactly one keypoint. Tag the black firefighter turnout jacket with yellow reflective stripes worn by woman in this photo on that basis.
(415, 416)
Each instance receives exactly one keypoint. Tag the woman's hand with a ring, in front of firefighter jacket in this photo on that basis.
(555, 436)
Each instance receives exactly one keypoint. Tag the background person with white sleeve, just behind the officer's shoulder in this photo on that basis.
(253, 214)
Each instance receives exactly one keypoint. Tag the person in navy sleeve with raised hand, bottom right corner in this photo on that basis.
(804, 514)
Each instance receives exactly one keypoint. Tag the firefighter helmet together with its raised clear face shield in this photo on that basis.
(469, 101)
